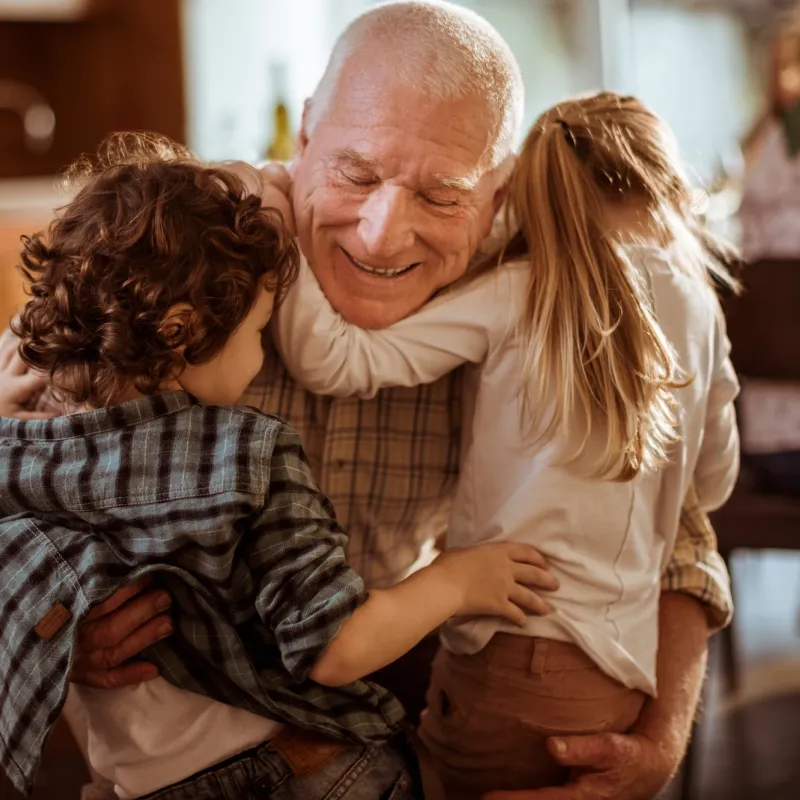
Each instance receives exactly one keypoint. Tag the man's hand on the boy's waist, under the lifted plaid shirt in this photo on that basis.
(116, 631)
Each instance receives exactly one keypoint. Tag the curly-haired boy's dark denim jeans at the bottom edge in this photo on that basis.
(357, 773)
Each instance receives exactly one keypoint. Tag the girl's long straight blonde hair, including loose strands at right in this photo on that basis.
(588, 327)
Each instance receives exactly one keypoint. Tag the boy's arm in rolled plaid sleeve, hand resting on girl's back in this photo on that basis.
(325, 624)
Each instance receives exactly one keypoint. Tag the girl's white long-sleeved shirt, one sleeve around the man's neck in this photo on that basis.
(607, 542)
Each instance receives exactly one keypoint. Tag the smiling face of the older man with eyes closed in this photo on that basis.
(392, 194)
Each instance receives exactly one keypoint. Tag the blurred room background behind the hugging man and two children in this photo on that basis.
(229, 78)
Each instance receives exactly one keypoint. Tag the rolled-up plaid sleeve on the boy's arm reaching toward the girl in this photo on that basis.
(306, 587)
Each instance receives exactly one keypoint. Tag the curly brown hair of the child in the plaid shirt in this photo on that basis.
(150, 228)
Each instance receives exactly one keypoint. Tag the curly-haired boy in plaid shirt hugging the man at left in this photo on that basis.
(148, 298)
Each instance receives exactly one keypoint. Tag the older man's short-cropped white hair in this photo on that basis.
(447, 51)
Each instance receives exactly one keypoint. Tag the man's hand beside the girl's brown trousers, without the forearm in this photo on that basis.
(606, 766)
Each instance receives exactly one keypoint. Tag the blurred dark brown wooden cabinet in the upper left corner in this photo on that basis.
(117, 66)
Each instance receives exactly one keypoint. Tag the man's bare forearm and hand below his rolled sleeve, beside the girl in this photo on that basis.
(637, 765)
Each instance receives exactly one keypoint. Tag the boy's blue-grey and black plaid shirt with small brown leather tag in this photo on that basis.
(221, 504)
